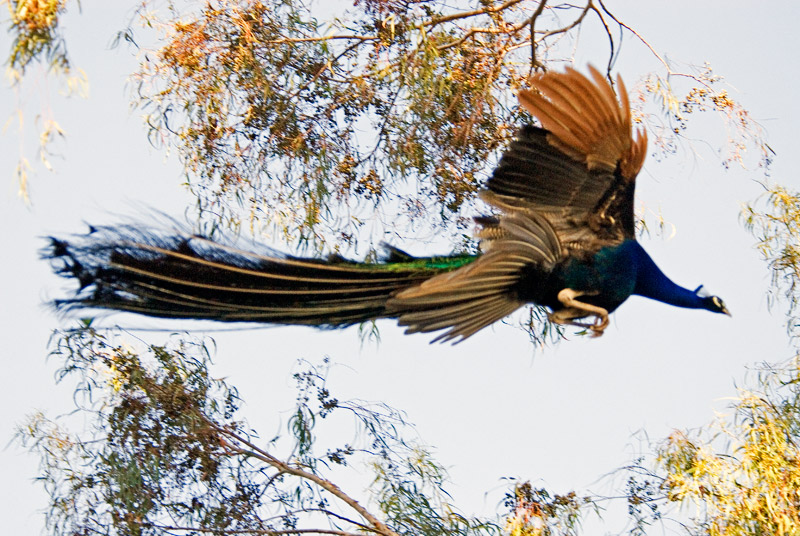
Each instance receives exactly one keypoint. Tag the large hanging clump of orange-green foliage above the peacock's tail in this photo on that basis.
(317, 126)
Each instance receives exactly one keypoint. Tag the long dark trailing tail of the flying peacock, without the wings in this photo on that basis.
(183, 276)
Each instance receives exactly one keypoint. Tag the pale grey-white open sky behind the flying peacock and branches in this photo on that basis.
(494, 406)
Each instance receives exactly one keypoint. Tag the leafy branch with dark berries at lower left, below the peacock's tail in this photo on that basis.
(166, 455)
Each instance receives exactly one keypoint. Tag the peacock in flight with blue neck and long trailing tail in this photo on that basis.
(563, 238)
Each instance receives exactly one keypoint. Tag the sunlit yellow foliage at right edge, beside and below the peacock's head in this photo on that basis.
(740, 474)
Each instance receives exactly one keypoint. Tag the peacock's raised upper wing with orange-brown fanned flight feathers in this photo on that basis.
(580, 168)
